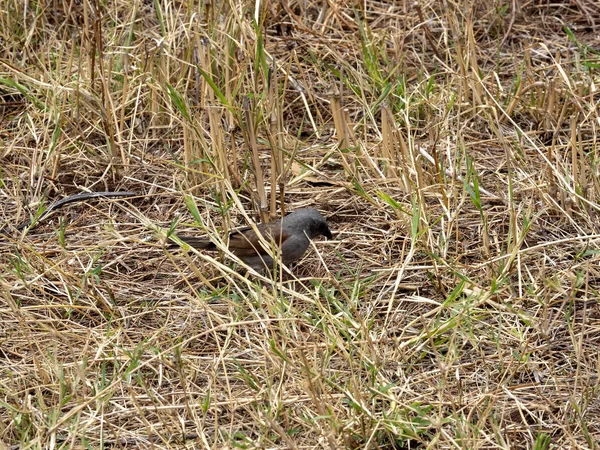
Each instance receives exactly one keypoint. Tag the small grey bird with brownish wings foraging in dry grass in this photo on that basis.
(292, 234)
